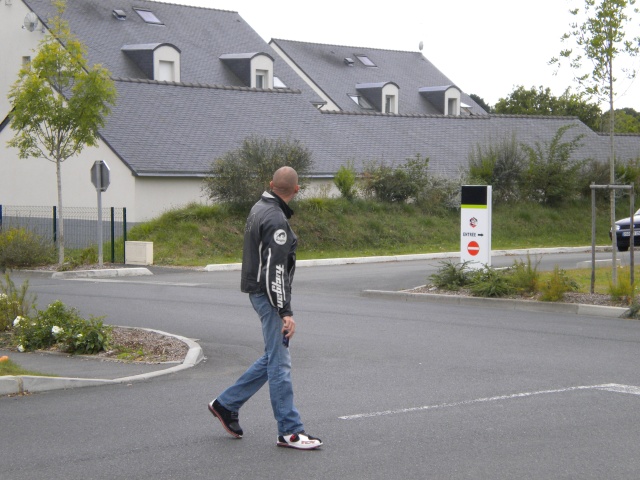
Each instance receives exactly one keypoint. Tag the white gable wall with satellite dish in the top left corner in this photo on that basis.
(16, 43)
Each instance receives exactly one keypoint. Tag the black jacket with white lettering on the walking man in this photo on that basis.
(269, 253)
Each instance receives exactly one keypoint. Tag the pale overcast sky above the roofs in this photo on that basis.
(485, 47)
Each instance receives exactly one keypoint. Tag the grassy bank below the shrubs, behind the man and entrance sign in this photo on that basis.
(328, 228)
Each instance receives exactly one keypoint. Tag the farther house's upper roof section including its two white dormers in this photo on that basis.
(358, 79)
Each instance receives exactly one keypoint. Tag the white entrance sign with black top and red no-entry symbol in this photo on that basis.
(475, 225)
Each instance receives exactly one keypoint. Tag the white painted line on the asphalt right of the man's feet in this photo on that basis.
(610, 387)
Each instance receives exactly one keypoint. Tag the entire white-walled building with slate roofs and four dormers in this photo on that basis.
(194, 82)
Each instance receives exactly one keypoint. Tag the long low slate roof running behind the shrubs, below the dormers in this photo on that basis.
(161, 128)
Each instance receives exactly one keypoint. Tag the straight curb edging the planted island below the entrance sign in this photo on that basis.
(503, 303)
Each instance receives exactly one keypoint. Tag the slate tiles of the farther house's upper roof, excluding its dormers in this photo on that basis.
(326, 65)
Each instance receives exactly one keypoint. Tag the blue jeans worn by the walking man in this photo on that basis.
(274, 366)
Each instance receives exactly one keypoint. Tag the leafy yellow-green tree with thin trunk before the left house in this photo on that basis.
(59, 103)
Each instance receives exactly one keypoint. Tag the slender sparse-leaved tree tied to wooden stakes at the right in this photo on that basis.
(601, 39)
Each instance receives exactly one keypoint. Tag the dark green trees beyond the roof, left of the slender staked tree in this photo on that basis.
(540, 101)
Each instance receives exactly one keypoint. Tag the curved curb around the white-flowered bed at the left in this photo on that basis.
(30, 383)
